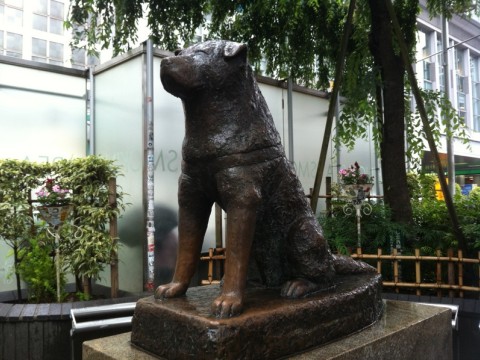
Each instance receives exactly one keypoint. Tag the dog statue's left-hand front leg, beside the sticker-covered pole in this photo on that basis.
(192, 224)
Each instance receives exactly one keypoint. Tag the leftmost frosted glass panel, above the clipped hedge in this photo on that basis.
(47, 126)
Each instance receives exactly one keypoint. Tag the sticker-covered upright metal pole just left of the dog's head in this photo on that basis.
(149, 159)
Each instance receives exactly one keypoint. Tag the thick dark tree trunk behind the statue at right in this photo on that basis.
(392, 146)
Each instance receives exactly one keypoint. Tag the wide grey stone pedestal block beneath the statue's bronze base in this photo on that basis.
(405, 331)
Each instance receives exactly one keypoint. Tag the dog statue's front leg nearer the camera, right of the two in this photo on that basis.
(240, 231)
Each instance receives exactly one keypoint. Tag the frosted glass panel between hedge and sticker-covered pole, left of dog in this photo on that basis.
(119, 136)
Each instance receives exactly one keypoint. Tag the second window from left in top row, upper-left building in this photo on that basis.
(48, 16)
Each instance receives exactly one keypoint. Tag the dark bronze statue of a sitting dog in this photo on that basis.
(232, 155)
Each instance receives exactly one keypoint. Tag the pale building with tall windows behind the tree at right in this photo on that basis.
(463, 66)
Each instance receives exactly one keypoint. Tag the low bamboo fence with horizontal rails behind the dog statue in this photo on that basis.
(448, 270)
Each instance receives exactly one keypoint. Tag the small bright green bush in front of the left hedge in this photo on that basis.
(38, 270)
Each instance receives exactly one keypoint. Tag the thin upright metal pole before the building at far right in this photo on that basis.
(446, 72)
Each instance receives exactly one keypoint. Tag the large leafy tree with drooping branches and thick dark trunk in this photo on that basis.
(299, 39)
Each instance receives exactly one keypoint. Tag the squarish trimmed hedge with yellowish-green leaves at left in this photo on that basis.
(85, 244)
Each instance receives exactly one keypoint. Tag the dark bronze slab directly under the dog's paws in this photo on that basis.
(269, 327)
